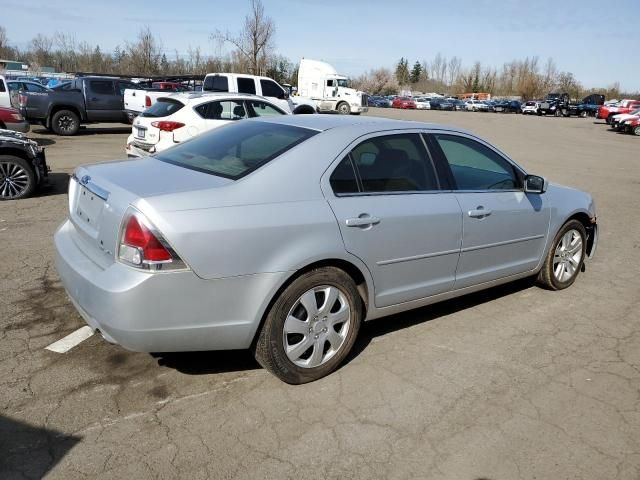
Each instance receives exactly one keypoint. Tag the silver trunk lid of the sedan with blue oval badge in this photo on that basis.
(99, 196)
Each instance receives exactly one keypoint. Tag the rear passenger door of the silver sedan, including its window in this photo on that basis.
(393, 217)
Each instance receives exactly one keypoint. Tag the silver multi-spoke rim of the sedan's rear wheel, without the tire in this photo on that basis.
(317, 326)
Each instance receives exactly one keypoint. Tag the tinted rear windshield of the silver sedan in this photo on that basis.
(237, 149)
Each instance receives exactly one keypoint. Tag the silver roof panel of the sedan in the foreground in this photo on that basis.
(323, 123)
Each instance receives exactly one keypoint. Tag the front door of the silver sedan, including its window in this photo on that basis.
(505, 229)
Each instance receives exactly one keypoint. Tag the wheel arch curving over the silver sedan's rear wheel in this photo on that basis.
(361, 278)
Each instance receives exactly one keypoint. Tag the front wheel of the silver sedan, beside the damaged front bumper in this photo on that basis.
(565, 258)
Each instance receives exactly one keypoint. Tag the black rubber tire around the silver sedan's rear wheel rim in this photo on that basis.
(270, 346)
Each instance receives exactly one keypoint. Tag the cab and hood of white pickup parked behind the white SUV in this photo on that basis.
(255, 85)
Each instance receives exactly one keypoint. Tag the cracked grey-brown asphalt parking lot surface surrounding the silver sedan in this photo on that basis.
(511, 383)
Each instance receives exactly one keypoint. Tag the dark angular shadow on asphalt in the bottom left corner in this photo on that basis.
(31, 452)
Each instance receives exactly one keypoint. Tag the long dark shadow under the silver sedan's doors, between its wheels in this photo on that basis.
(393, 323)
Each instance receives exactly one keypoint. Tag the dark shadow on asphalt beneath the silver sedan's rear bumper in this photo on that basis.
(206, 363)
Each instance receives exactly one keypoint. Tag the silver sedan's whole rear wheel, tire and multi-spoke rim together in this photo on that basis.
(311, 327)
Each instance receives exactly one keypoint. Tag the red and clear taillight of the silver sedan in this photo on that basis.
(143, 246)
